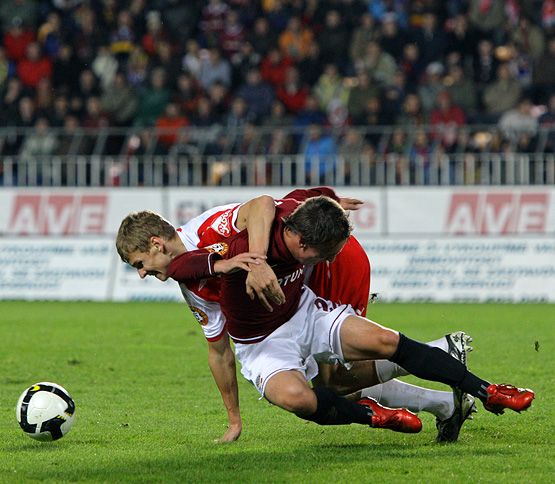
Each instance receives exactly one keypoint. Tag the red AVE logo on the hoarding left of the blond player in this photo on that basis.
(58, 214)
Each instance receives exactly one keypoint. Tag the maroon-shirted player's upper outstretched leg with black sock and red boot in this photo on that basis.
(363, 339)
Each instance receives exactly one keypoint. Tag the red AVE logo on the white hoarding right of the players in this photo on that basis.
(497, 213)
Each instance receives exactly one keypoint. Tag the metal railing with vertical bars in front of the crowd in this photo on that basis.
(482, 156)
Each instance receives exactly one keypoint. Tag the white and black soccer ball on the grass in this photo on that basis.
(45, 411)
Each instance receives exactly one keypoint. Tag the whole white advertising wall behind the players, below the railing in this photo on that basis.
(433, 244)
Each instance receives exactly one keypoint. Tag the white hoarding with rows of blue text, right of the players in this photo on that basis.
(463, 269)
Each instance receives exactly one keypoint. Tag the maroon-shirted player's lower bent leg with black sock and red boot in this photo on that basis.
(290, 391)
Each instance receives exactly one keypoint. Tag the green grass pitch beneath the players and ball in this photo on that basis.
(148, 411)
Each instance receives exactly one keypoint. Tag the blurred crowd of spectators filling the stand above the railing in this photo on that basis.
(310, 65)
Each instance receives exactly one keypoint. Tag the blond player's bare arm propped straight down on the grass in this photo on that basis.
(222, 365)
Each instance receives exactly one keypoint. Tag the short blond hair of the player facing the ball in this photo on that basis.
(136, 230)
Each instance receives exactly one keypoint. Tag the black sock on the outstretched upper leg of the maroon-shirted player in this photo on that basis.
(435, 364)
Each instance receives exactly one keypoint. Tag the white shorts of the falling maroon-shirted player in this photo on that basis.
(310, 336)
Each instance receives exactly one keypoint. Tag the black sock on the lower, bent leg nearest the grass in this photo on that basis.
(335, 410)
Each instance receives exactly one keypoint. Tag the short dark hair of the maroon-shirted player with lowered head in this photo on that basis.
(320, 222)
